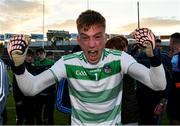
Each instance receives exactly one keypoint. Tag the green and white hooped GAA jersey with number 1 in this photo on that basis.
(95, 90)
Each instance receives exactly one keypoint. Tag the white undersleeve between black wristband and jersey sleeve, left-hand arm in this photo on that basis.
(31, 85)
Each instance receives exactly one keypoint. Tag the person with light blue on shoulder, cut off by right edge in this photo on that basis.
(173, 106)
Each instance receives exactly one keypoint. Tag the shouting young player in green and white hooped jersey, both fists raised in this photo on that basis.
(94, 74)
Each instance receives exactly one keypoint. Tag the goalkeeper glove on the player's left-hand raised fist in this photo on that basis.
(17, 48)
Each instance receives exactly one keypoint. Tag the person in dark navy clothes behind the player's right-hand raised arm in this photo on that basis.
(153, 103)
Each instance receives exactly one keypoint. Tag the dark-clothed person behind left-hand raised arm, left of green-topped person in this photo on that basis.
(25, 105)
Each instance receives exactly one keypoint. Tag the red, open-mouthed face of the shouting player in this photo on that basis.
(92, 42)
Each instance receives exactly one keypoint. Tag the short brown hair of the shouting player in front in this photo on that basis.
(88, 18)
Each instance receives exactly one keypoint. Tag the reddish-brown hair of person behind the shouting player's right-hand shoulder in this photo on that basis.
(117, 42)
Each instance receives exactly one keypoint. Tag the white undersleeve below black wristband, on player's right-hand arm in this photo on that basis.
(153, 77)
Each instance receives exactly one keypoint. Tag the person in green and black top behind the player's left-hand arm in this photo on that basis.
(45, 100)
